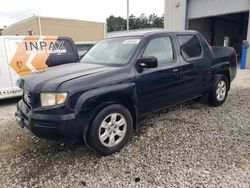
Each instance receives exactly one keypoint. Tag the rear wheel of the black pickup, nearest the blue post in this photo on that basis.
(218, 94)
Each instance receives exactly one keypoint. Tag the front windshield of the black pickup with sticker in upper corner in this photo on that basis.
(117, 51)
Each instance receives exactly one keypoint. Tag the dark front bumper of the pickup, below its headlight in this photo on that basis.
(48, 126)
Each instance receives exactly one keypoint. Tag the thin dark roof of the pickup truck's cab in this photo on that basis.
(150, 32)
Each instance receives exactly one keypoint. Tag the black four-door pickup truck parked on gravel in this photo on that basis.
(101, 98)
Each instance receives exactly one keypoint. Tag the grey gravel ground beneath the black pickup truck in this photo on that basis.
(191, 145)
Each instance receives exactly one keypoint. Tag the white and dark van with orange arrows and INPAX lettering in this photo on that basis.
(22, 55)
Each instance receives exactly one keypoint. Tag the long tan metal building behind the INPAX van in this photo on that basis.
(77, 29)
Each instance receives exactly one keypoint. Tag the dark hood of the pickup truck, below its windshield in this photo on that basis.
(49, 80)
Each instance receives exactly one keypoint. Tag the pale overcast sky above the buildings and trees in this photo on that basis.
(12, 11)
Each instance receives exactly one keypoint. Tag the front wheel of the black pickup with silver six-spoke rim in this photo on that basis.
(110, 130)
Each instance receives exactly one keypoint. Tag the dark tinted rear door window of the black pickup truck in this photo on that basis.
(190, 46)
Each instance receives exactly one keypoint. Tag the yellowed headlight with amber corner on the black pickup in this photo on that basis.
(50, 99)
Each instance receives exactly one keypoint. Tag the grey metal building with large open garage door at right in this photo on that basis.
(222, 22)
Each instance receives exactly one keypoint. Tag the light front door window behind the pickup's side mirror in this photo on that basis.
(161, 48)
